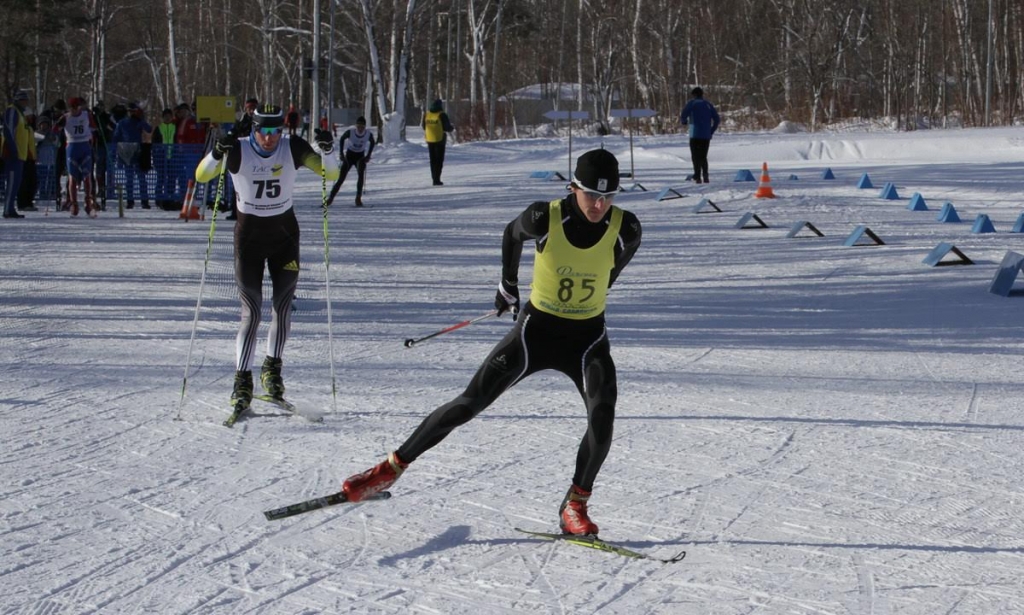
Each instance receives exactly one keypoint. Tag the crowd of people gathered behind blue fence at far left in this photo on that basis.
(69, 146)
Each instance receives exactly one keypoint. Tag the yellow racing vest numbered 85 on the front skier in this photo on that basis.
(570, 282)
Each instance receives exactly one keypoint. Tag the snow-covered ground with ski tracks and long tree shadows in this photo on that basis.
(825, 429)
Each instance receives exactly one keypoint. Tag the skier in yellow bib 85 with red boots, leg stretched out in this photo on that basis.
(583, 244)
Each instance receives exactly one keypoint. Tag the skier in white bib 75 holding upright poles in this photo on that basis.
(264, 169)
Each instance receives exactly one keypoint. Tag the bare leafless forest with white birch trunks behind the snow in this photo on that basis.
(917, 64)
